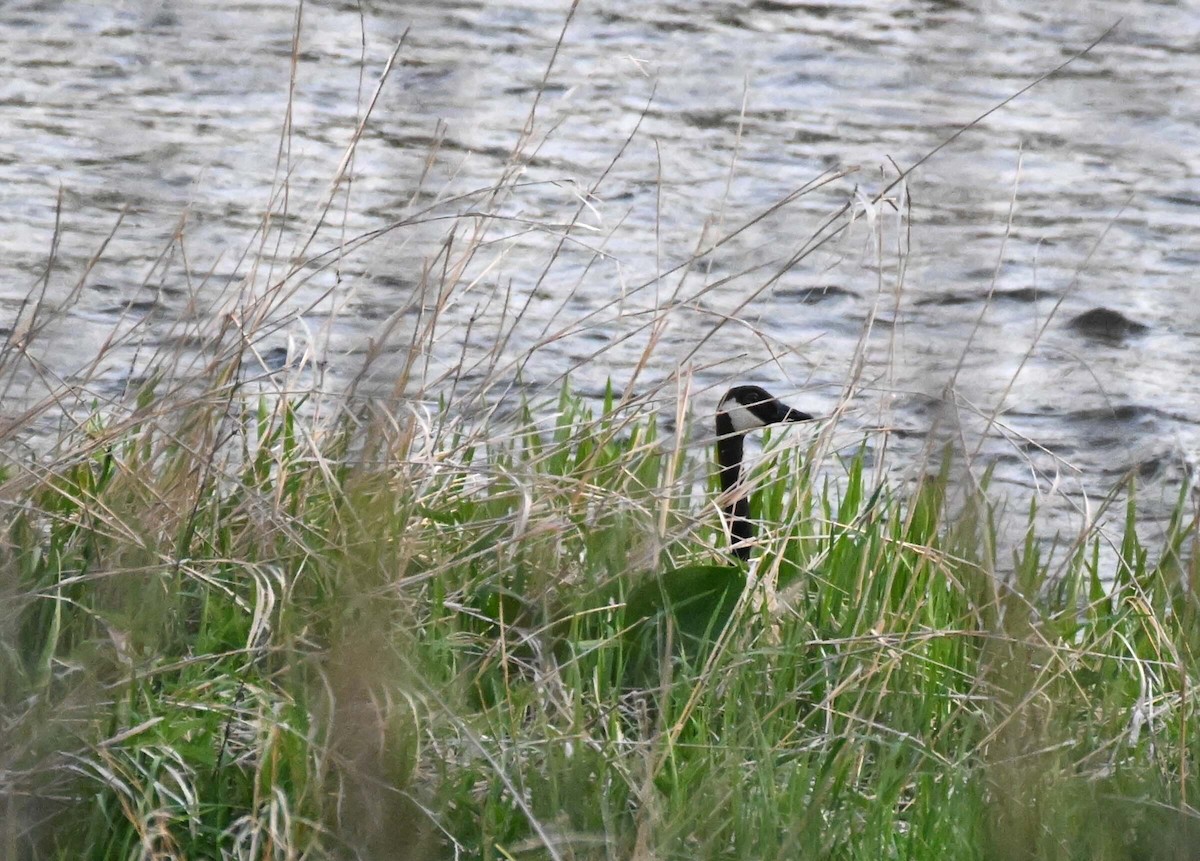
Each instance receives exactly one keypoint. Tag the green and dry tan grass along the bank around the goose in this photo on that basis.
(239, 623)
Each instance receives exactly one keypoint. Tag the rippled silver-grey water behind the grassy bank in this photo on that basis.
(661, 130)
